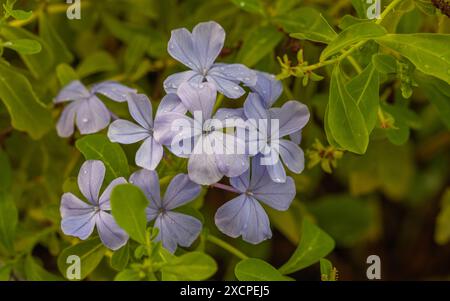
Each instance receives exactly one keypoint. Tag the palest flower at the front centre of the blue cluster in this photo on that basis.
(206, 164)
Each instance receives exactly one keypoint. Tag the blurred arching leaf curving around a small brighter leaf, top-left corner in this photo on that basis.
(39, 64)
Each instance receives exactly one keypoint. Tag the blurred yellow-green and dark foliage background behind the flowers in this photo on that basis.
(393, 201)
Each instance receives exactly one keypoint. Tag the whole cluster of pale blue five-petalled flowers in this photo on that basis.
(189, 93)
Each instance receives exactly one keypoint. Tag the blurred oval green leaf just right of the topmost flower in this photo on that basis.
(259, 43)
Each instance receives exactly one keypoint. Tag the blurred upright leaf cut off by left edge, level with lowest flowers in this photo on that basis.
(8, 221)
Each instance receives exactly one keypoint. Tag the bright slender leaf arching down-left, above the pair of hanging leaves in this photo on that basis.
(351, 35)
